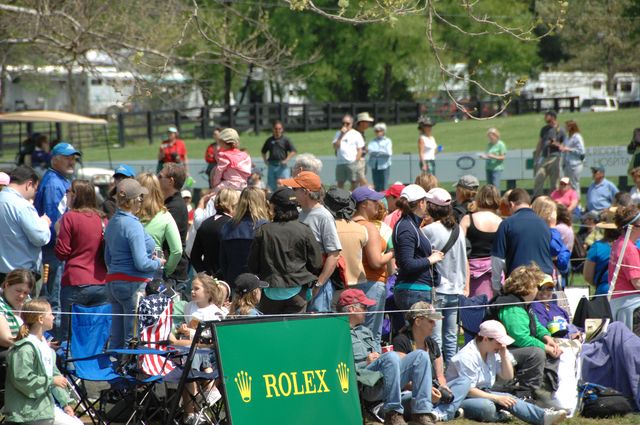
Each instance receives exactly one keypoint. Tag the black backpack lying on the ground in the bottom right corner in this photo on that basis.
(596, 401)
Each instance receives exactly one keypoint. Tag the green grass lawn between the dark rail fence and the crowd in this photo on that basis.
(598, 129)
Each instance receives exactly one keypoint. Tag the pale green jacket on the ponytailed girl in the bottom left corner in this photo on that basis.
(29, 393)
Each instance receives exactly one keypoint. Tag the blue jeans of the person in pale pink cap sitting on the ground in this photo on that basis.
(484, 410)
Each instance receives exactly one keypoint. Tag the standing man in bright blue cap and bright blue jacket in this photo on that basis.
(51, 199)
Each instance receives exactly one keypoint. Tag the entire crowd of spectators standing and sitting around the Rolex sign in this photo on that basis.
(296, 247)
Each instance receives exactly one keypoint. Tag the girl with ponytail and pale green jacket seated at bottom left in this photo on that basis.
(32, 375)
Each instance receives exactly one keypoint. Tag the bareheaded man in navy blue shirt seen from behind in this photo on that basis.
(520, 240)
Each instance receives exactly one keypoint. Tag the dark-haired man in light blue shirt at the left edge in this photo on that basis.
(22, 232)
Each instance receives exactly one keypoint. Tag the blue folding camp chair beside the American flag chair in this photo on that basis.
(86, 361)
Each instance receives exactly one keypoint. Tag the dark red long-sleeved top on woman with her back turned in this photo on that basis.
(80, 244)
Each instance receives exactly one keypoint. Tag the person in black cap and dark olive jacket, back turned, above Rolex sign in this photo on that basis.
(286, 255)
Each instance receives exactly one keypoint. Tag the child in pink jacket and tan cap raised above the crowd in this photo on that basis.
(234, 166)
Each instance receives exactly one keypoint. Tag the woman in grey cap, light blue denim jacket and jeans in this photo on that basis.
(129, 256)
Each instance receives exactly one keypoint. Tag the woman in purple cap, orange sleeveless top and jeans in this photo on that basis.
(375, 253)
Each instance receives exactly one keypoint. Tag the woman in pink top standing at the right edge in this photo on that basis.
(625, 303)
